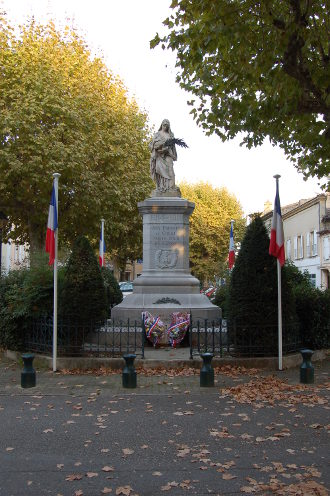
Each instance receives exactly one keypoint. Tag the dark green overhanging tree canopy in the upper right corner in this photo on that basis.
(257, 68)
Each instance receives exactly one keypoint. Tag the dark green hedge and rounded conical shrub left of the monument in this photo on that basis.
(85, 294)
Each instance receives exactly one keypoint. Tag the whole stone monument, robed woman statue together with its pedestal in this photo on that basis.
(165, 285)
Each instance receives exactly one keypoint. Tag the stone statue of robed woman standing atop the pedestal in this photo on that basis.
(162, 157)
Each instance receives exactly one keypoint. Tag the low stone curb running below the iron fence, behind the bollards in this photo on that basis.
(84, 363)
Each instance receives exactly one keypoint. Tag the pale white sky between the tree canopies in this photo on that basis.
(120, 32)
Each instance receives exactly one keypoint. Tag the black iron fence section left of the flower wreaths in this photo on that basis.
(102, 339)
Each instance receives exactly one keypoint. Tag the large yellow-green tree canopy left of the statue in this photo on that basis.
(62, 110)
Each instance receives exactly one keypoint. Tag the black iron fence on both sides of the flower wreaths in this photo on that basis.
(110, 339)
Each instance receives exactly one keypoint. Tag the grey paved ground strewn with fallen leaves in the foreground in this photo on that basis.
(257, 433)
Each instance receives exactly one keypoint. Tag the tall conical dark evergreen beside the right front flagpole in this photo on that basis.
(252, 300)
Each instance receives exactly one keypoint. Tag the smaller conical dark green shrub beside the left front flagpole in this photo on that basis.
(83, 296)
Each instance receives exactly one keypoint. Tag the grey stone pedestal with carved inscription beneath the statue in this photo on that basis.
(165, 285)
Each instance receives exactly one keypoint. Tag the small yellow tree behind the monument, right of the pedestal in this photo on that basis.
(210, 227)
